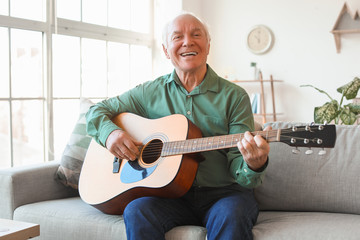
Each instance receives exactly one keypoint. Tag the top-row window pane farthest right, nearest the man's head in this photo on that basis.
(140, 16)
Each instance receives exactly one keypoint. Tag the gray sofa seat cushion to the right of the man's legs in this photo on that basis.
(306, 226)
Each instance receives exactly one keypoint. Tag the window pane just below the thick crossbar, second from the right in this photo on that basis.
(118, 68)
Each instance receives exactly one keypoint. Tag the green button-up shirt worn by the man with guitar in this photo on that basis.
(216, 106)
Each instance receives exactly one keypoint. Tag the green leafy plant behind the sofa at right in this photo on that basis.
(336, 111)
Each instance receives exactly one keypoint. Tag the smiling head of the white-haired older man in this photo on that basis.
(187, 44)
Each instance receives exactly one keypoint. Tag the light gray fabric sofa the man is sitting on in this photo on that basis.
(303, 197)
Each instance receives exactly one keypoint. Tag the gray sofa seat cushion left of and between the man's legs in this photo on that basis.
(71, 218)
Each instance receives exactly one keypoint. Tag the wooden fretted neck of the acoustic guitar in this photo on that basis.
(213, 143)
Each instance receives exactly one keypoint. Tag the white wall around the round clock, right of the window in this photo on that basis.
(304, 51)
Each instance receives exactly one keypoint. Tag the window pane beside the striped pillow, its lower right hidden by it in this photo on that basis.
(66, 113)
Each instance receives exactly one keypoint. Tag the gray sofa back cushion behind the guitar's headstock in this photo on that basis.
(300, 182)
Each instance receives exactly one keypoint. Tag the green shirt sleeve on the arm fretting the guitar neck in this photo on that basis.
(241, 121)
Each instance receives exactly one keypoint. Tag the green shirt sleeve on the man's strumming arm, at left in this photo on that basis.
(98, 118)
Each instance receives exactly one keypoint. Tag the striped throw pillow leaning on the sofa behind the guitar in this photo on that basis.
(74, 154)
